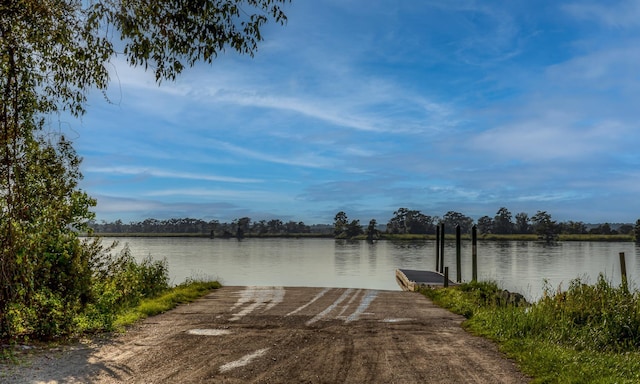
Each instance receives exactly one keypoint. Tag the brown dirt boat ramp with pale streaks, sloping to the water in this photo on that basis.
(283, 335)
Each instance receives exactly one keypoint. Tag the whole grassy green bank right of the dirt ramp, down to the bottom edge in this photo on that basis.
(587, 334)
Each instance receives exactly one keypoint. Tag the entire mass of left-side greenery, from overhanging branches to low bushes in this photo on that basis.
(51, 55)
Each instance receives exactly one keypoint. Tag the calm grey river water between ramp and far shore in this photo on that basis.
(516, 266)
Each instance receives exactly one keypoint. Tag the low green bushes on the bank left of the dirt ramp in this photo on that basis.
(116, 283)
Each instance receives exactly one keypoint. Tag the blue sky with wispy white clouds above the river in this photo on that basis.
(366, 106)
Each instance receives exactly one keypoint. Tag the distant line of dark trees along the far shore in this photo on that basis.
(404, 221)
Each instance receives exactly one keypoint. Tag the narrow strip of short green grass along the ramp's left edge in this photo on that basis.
(181, 294)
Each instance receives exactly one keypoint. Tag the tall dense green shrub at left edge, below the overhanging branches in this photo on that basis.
(45, 265)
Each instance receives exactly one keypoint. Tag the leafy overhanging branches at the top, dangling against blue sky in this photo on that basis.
(170, 35)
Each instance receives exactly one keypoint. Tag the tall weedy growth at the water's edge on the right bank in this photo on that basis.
(598, 317)
